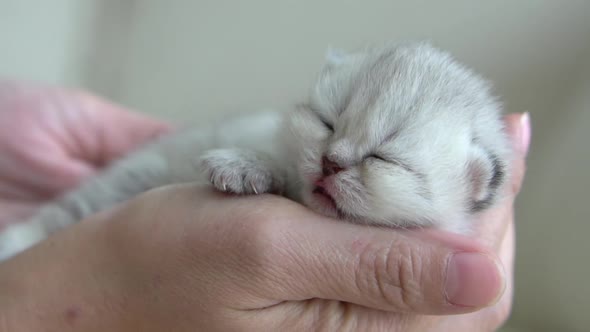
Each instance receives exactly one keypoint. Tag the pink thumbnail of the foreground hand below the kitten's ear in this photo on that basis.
(473, 280)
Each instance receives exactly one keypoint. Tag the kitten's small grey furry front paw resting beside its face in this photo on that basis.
(240, 172)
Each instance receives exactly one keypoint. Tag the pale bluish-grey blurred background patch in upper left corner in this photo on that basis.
(45, 40)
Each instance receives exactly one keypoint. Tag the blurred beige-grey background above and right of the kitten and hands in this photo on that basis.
(190, 60)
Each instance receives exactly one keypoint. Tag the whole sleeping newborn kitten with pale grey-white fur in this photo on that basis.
(398, 135)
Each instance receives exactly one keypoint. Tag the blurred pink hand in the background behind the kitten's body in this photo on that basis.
(51, 139)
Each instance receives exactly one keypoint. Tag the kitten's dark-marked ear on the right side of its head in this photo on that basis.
(484, 174)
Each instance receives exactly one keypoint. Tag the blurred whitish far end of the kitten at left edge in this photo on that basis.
(19, 237)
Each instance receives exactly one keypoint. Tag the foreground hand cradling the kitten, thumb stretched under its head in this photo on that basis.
(184, 258)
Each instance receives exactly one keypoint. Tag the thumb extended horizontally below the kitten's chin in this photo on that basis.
(385, 269)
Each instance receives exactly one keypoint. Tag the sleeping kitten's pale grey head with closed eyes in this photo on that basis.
(400, 135)
